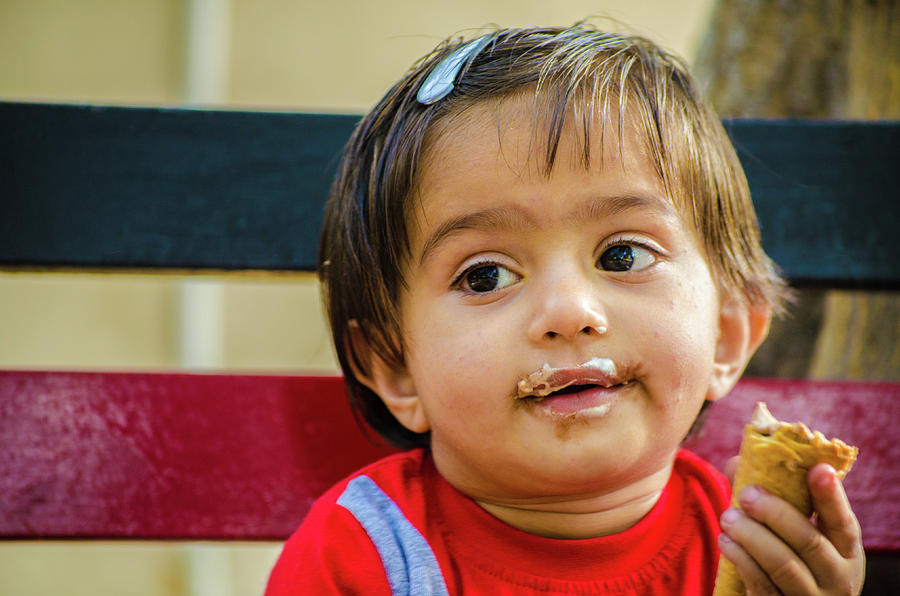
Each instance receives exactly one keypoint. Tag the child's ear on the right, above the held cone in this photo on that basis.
(742, 328)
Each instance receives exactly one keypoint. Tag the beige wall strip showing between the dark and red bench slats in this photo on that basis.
(133, 321)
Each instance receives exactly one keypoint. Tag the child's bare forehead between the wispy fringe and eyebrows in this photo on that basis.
(490, 163)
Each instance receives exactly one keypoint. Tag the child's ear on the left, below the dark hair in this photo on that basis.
(393, 384)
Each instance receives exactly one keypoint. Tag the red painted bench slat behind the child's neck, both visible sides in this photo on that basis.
(154, 455)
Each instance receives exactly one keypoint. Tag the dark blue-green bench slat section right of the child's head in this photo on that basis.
(827, 195)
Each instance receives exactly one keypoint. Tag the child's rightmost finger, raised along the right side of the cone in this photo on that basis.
(835, 518)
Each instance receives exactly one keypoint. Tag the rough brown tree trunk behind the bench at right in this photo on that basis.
(813, 59)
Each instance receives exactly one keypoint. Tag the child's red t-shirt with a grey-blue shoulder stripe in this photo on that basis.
(397, 527)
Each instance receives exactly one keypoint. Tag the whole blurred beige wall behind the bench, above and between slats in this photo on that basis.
(296, 54)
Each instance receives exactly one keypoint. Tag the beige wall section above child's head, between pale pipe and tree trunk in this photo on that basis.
(343, 54)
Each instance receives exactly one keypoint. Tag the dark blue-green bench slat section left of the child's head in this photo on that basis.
(136, 187)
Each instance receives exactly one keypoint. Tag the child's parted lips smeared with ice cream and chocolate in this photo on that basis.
(590, 386)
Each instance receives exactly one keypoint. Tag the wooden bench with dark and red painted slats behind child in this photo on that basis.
(161, 455)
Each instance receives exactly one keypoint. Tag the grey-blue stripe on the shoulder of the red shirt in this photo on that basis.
(409, 562)
